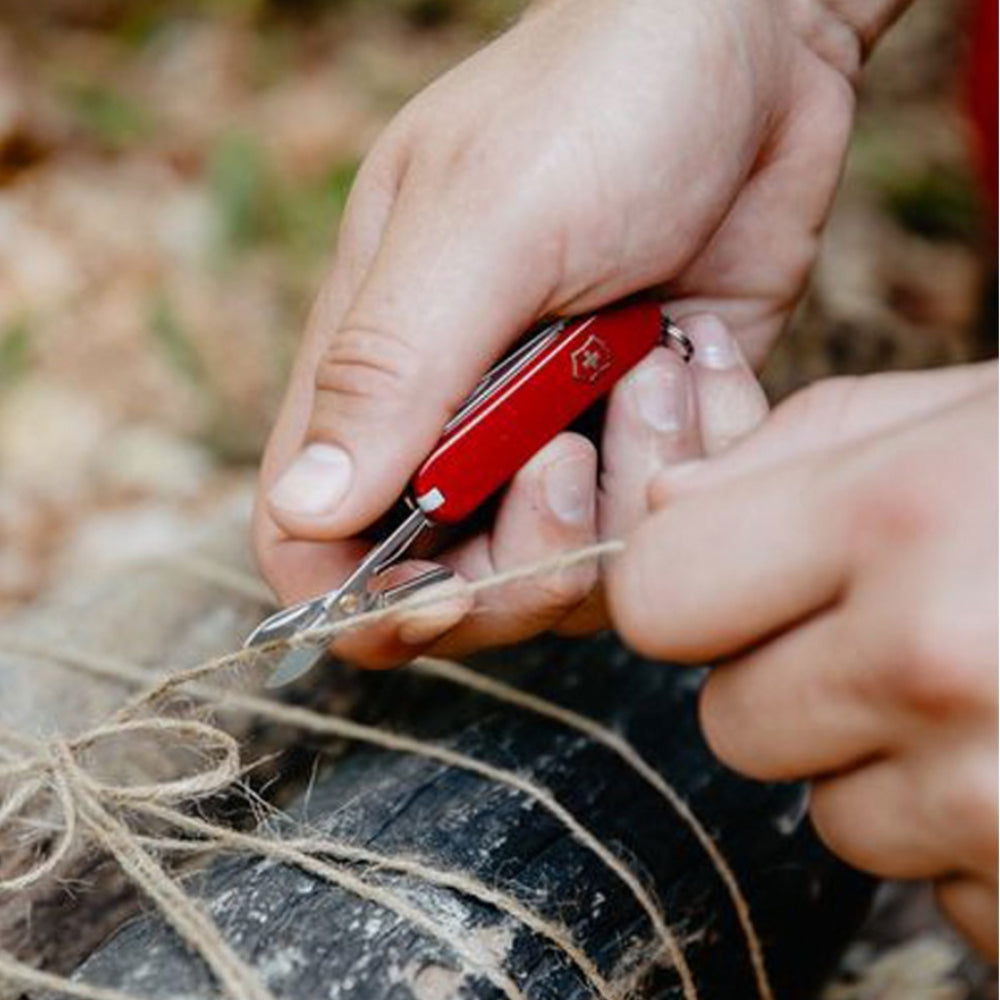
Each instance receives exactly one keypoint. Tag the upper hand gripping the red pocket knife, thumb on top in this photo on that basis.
(597, 148)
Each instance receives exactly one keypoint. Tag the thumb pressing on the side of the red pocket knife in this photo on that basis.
(437, 305)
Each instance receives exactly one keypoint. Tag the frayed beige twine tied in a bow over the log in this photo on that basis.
(100, 811)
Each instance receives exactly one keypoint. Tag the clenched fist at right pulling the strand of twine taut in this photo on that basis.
(840, 567)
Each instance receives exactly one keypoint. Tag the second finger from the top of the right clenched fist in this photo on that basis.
(794, 707)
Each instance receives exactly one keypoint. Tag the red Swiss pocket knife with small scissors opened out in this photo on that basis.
(519, 406)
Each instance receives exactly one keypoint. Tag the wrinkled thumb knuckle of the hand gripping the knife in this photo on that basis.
(367, 370)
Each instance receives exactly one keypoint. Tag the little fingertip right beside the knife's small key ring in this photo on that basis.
(731, 400)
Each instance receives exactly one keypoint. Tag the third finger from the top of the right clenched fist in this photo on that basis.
(885, 819)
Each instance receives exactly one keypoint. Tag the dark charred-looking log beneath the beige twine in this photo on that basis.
(308, 939)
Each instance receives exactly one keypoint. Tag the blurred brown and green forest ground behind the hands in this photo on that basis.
(171, 176)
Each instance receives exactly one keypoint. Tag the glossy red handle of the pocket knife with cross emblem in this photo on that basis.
(481, 452)
